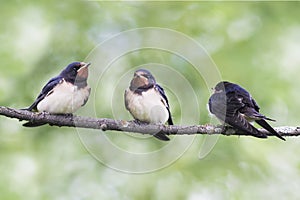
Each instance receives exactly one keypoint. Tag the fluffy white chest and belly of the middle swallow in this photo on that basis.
(149, 106)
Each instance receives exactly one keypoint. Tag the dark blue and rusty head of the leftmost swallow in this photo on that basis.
(76, 72)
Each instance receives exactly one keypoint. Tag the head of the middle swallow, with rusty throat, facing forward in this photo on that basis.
(142, 79)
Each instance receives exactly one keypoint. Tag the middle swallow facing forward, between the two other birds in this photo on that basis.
(147, 101)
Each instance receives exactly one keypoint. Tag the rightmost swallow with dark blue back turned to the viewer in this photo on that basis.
(233, 105)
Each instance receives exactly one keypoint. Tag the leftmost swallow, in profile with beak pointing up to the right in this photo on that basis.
(65, 93)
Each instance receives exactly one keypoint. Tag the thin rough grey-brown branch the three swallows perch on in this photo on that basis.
(130, 126)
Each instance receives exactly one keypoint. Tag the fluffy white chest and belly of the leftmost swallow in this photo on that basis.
(64, 98)
